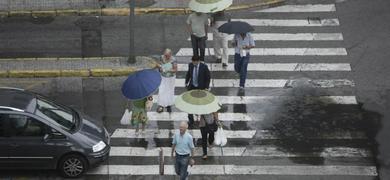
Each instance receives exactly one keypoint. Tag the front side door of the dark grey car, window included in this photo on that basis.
(29, 146)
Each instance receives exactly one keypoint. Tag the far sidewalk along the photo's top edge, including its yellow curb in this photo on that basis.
(109, 7)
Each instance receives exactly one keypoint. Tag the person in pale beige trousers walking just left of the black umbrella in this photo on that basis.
(220, 39)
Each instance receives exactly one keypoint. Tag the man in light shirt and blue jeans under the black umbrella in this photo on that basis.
(243, 43)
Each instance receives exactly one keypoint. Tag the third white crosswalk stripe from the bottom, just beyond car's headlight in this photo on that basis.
(242, 134)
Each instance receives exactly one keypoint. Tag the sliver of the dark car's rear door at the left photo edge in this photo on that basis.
(3, 141)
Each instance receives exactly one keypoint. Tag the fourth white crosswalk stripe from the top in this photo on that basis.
(277, 52)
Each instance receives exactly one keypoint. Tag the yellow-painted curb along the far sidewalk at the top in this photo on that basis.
(126, 11)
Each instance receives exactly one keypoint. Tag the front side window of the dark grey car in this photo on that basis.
(24, 126)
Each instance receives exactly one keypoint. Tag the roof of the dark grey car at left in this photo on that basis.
(15, 99)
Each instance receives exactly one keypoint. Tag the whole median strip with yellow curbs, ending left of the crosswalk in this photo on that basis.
(71, 67)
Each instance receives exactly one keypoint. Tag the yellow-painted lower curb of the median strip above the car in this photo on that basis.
(67, 73)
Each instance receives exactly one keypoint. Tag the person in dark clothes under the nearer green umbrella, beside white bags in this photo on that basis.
(208, 125)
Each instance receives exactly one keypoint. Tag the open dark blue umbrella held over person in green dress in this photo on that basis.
(141, 84)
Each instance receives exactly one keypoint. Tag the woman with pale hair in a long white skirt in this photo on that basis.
(166, 92)
